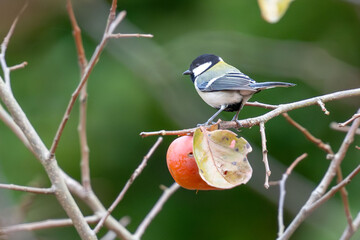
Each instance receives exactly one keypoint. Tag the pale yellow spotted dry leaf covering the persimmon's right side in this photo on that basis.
(222, 158)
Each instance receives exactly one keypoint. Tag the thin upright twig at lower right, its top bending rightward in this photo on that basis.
(283, 193)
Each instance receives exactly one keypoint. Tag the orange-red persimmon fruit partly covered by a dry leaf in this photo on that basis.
(182, 165)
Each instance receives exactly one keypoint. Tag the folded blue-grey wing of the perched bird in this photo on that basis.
(228, 81)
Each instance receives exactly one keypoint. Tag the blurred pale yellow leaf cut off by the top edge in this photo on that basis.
(273, 10)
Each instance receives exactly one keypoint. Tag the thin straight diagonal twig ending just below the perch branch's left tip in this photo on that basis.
(136, 173)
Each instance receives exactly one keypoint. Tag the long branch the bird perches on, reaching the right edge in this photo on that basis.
(283, 108)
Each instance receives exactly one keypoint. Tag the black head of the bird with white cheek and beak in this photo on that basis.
(201, 64)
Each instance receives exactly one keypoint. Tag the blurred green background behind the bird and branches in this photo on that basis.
(137, 86)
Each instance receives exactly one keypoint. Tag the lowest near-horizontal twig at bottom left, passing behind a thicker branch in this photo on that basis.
(51, 223)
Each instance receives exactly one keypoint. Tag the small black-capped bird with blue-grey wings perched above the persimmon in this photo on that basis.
(223, 86)
